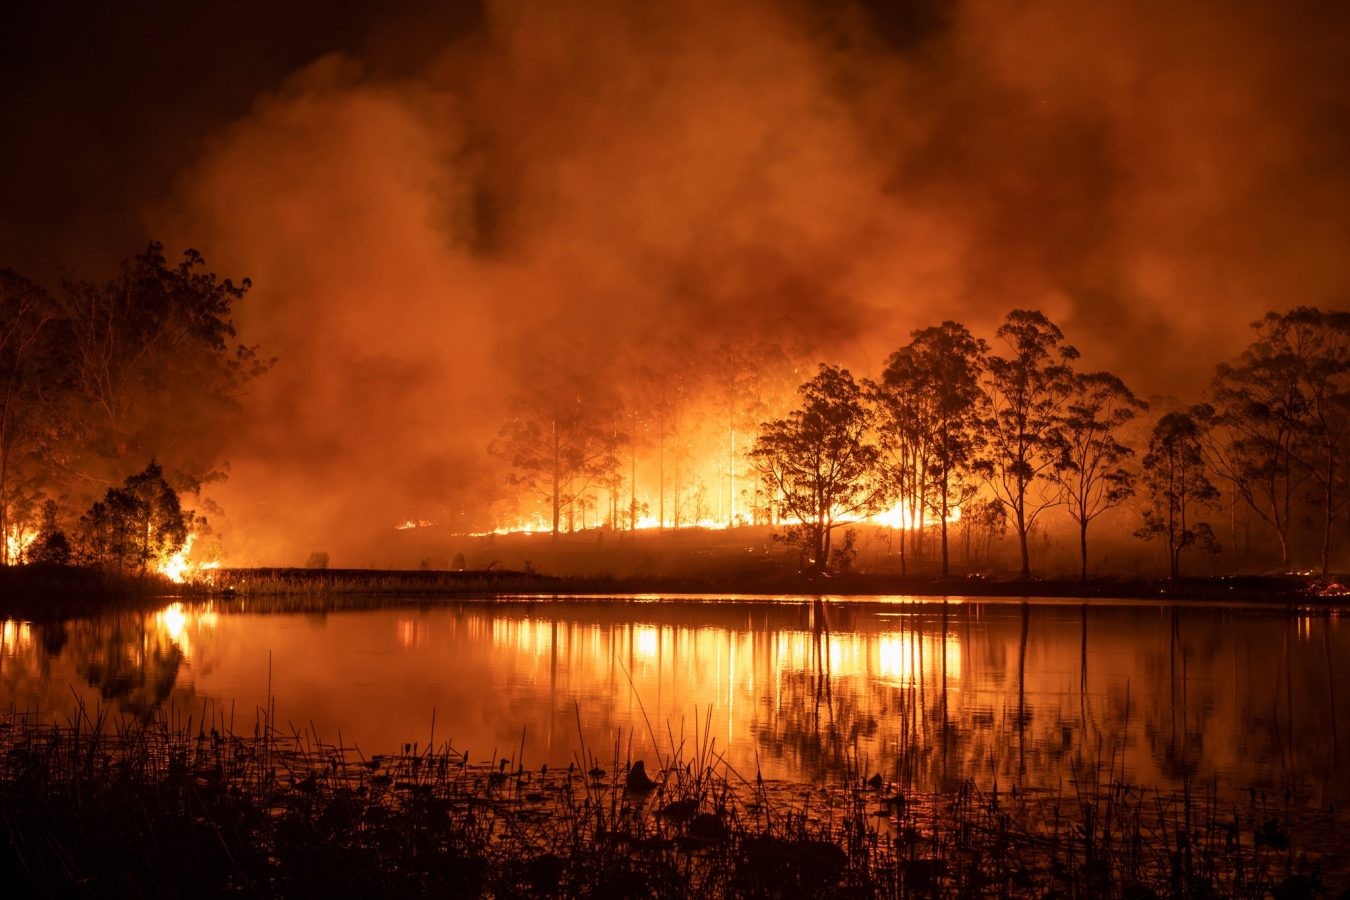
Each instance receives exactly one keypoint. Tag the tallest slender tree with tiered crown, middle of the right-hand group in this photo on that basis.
(1024, 442)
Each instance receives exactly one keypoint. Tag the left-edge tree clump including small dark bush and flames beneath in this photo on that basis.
(103, 380)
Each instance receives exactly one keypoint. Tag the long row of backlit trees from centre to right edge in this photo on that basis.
(996, 437)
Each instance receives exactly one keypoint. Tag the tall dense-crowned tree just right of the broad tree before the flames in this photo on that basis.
(931, 404)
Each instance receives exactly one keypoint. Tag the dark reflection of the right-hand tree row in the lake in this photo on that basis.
(943, 705)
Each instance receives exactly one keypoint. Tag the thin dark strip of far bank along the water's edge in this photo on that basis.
(55, 592)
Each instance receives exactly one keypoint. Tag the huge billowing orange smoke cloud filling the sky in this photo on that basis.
(578, 187)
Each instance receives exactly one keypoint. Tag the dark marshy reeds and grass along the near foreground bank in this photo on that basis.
(167, 808)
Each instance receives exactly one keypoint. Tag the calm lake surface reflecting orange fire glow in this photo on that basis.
(929, 694)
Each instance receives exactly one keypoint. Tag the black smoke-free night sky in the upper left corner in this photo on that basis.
(107, 103)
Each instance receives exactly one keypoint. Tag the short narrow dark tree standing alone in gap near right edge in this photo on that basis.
(1178, 488)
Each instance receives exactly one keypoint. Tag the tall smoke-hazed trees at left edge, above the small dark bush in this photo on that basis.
(144, 365)
